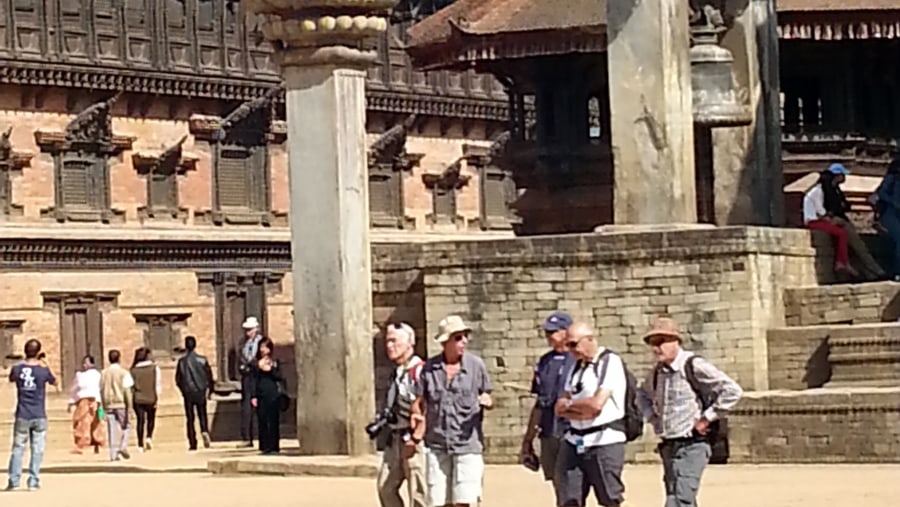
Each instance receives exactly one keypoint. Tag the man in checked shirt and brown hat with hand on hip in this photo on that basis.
(684, 397)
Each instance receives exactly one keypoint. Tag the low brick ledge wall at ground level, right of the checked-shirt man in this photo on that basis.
(817, 426)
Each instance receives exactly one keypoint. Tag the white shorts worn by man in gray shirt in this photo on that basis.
(454, 478)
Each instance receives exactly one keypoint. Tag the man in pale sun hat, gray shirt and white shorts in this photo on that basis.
(454, 391)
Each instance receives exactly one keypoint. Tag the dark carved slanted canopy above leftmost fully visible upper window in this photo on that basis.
(91, 129)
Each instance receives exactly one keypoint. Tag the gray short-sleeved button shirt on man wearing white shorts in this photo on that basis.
(453, 416)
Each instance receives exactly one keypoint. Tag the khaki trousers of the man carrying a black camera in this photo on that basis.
(395, 470)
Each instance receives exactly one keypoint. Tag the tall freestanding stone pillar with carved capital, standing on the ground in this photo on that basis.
(318, 48)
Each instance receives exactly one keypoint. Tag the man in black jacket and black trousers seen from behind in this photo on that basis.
(193, 376)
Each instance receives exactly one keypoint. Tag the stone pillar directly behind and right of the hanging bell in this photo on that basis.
(747, 160)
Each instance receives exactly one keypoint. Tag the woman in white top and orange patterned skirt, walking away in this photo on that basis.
(84, 401)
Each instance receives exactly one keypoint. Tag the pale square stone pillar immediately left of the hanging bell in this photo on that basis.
(651, 112)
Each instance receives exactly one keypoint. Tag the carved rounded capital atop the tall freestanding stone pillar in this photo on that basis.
(322, 32)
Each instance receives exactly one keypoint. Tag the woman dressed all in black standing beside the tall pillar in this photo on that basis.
(268, 389)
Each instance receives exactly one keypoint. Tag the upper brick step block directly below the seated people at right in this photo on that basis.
(842, 304)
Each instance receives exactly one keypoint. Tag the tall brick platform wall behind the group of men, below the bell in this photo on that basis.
(724, 286)
